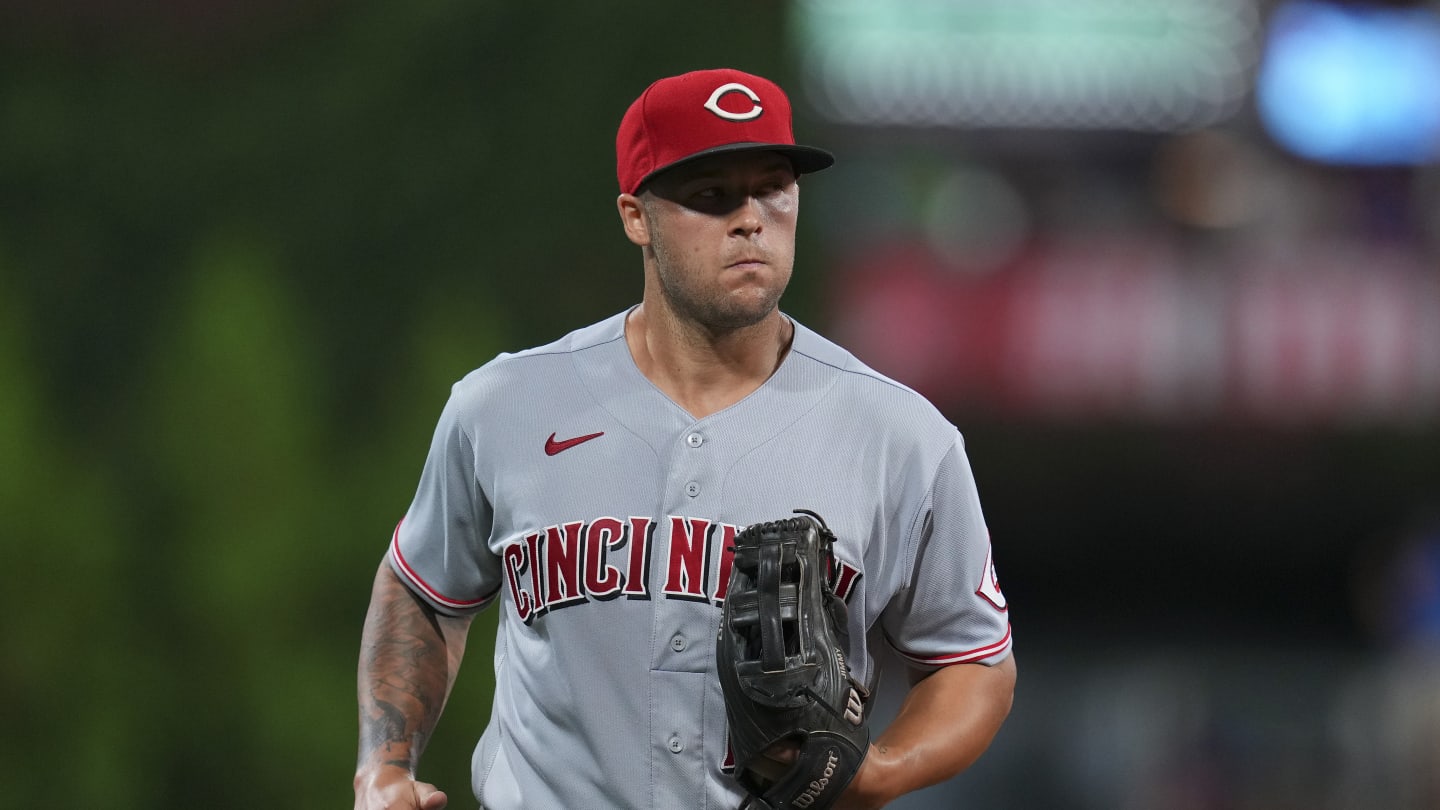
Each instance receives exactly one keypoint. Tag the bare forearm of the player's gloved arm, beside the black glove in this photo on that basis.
(945, 723)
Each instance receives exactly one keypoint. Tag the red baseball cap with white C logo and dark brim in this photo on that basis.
(703, 113)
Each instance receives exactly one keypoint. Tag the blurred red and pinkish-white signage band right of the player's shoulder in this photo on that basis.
(1127, 331)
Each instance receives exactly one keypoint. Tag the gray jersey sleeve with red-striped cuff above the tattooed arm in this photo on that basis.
(440, 548)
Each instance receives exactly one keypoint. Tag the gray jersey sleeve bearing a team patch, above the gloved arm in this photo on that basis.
(953, 609)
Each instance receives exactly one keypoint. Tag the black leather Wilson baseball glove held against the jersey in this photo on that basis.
(781, 657)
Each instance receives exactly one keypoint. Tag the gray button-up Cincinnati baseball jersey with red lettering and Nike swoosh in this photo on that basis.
(567, 488)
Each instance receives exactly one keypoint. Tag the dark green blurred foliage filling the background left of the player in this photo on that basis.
(243, 257)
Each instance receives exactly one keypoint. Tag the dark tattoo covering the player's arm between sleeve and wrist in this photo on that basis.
(405, 675)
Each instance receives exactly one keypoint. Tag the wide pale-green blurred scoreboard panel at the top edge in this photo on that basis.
(1147, 66)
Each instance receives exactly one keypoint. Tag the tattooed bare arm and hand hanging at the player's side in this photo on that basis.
(410, 657)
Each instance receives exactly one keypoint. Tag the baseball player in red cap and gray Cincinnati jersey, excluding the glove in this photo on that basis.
(591, 492)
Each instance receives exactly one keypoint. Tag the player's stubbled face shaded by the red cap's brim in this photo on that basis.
(722, 233)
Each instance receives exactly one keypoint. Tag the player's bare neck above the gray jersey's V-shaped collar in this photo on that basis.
(702, 371)
